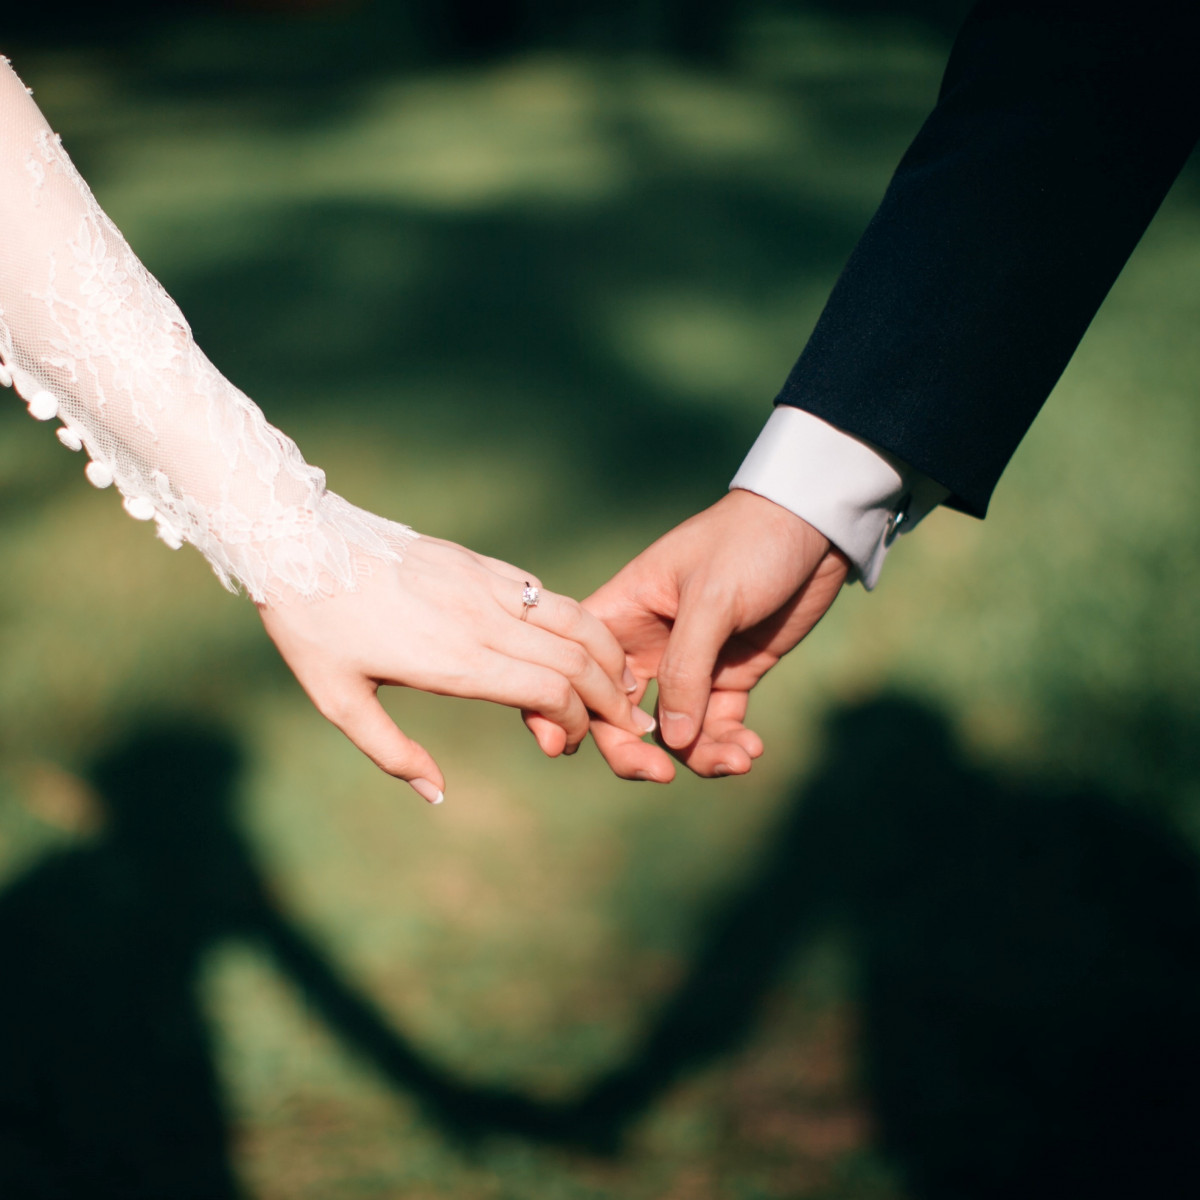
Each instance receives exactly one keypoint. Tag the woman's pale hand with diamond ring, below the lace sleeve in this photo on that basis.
(449, 621)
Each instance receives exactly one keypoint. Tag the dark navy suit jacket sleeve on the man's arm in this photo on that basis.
(1058, 133)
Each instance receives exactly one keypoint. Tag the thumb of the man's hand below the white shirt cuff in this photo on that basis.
(686, 671)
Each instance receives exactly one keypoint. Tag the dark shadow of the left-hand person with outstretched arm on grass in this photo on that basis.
(109, 1084)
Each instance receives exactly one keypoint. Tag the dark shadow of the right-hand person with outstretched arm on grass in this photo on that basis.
(1028, 969)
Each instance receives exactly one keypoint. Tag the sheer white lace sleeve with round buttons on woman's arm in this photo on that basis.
(89, 338)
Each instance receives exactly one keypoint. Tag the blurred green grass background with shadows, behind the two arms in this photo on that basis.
(529, 278)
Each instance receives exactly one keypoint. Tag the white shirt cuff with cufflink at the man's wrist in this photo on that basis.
(859, 496)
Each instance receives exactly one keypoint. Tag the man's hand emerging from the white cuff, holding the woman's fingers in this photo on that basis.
(709, 610)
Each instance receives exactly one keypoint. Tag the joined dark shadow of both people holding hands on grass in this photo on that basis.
(1028, 971)
